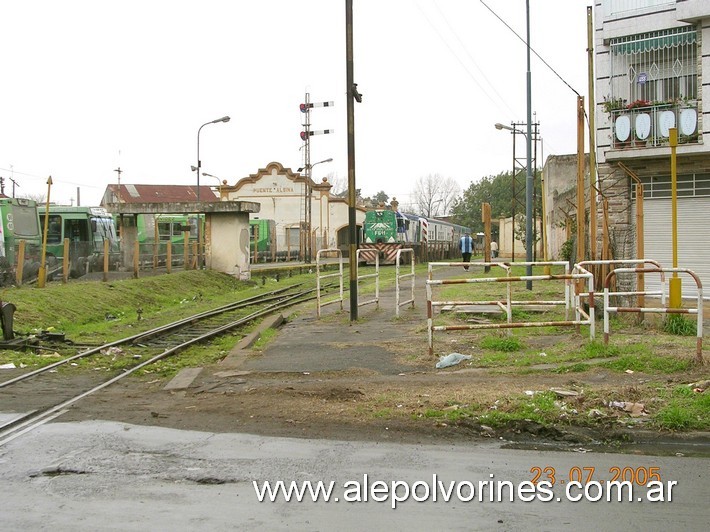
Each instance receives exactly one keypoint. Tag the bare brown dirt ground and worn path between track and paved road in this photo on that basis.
(334, 380)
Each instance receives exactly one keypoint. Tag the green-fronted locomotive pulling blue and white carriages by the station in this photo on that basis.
(385, 231)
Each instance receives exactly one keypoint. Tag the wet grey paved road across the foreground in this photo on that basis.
(111, 476)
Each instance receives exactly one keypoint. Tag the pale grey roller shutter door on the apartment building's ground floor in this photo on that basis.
(693, 240)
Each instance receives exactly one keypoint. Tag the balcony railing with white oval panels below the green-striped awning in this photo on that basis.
(648, 126)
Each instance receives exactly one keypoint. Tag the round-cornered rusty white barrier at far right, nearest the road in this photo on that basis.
(608, 309)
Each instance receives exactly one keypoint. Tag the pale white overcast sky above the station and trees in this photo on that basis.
(91, 86)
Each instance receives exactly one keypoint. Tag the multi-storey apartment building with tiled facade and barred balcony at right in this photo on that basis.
(652, 73)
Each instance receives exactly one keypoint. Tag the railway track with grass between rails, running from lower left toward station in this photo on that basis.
(145, 348)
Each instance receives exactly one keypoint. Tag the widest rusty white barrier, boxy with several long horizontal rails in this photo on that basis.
(580, 273)
